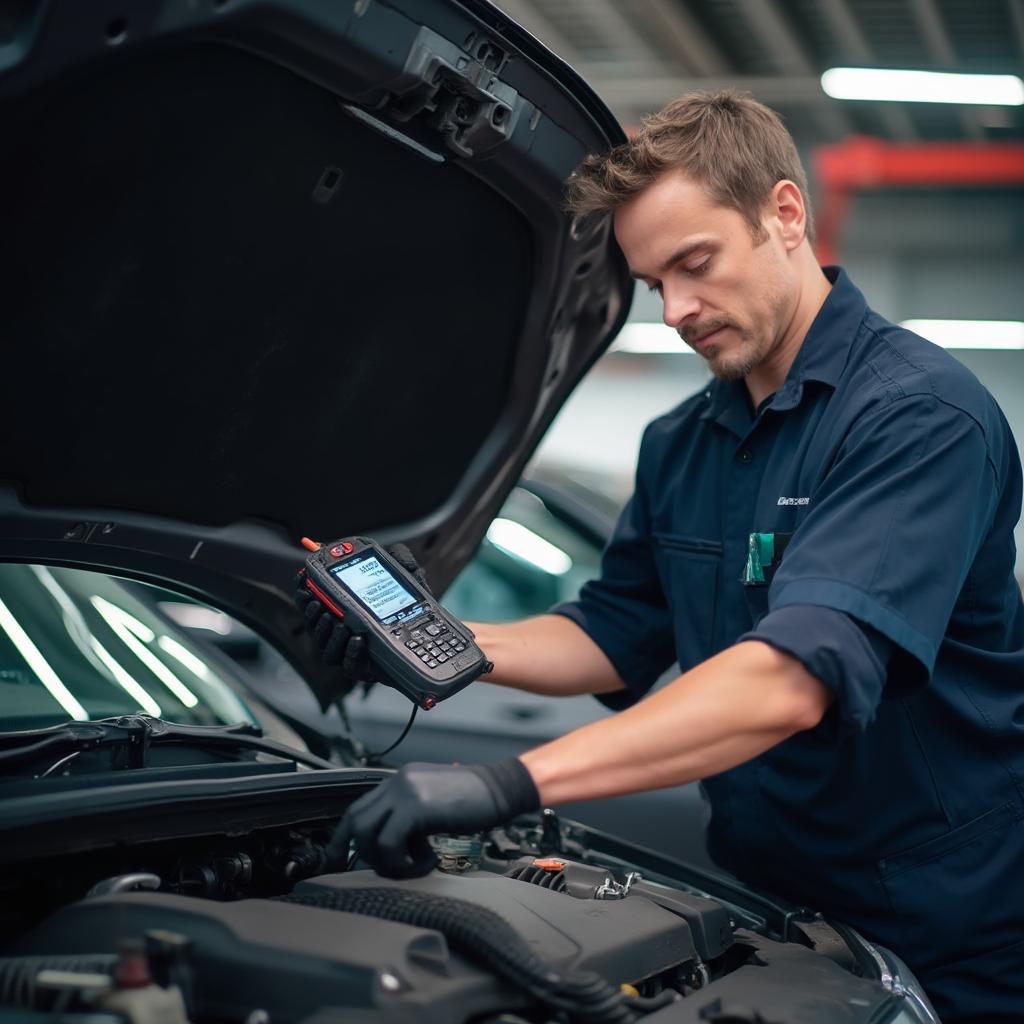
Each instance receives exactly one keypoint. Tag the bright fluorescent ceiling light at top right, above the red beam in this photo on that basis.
(923, 87)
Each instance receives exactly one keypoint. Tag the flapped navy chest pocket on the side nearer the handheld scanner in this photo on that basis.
(690, 570)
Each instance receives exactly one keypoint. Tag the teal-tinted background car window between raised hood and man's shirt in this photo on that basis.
(530, 561)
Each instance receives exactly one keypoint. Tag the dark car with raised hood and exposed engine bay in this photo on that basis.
(275, 270)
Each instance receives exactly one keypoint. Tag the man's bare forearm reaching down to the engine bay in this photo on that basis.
(724, 712)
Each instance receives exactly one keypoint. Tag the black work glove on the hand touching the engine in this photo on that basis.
(391, 826)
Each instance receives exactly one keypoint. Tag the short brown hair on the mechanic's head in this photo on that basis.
(739, 150)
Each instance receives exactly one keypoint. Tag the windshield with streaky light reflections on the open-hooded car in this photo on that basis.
(81, 646)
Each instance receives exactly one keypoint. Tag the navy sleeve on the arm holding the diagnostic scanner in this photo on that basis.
(624, 612)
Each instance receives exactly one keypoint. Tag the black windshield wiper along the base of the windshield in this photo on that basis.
(137, 734)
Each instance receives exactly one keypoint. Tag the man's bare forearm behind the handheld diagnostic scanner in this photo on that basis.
(547, 655)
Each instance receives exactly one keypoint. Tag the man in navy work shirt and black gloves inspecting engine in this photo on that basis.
(823, 540)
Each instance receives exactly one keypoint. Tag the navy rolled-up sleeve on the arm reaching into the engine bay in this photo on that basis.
(890, 539)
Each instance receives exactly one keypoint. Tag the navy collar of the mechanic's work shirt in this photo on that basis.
(822, 358)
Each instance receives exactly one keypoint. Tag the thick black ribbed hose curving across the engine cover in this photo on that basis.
(484, 936)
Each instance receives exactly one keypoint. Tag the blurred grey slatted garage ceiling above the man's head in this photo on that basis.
(641, 54)
